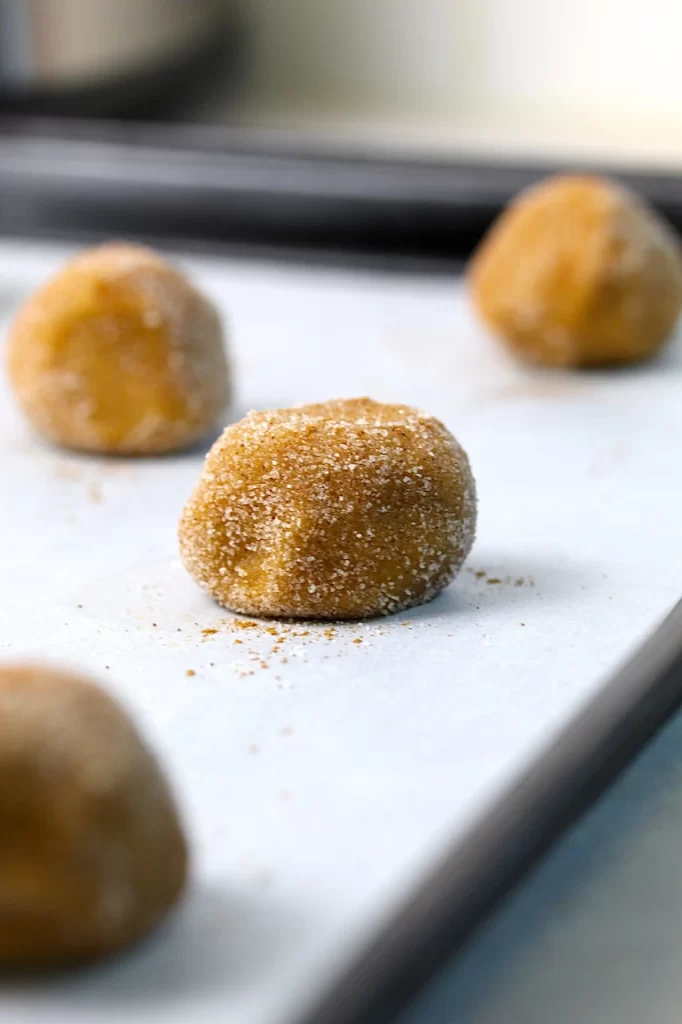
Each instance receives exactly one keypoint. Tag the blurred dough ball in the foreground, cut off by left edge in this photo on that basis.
(93, 855)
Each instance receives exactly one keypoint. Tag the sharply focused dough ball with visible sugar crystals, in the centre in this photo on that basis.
(340, 510)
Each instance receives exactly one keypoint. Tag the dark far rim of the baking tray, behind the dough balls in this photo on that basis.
(261, 192)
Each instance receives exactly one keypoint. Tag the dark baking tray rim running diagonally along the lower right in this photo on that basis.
(446, 911)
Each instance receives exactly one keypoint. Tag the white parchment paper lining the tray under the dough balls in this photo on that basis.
(320, 781)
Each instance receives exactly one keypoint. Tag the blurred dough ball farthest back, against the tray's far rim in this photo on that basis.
(577, 273)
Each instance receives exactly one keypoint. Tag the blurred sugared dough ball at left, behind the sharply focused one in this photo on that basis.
(120, 354)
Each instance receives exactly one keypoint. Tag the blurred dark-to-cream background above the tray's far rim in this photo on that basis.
(504, 78)
